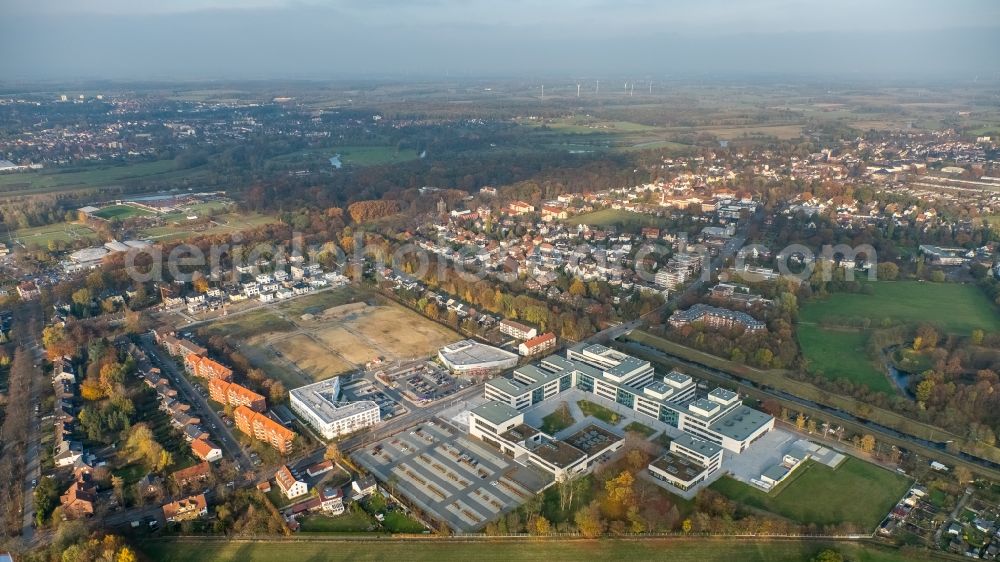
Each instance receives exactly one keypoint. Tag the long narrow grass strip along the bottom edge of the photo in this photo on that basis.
(675, 550)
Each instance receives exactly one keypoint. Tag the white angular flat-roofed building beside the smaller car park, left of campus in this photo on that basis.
(319, 404)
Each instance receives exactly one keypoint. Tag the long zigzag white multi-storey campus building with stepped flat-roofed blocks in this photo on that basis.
(720, 417)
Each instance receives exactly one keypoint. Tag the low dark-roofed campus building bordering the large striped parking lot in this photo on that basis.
(503, 427)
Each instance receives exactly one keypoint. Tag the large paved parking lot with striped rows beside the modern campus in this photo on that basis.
(451, 476)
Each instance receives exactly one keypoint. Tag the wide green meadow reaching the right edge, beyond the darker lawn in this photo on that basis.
(953, 307)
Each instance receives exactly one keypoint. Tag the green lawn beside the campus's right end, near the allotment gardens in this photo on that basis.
(856, 492)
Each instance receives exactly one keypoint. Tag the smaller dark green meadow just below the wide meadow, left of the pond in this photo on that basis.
(841, 354)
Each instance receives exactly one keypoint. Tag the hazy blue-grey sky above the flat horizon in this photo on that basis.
(195, 39)
